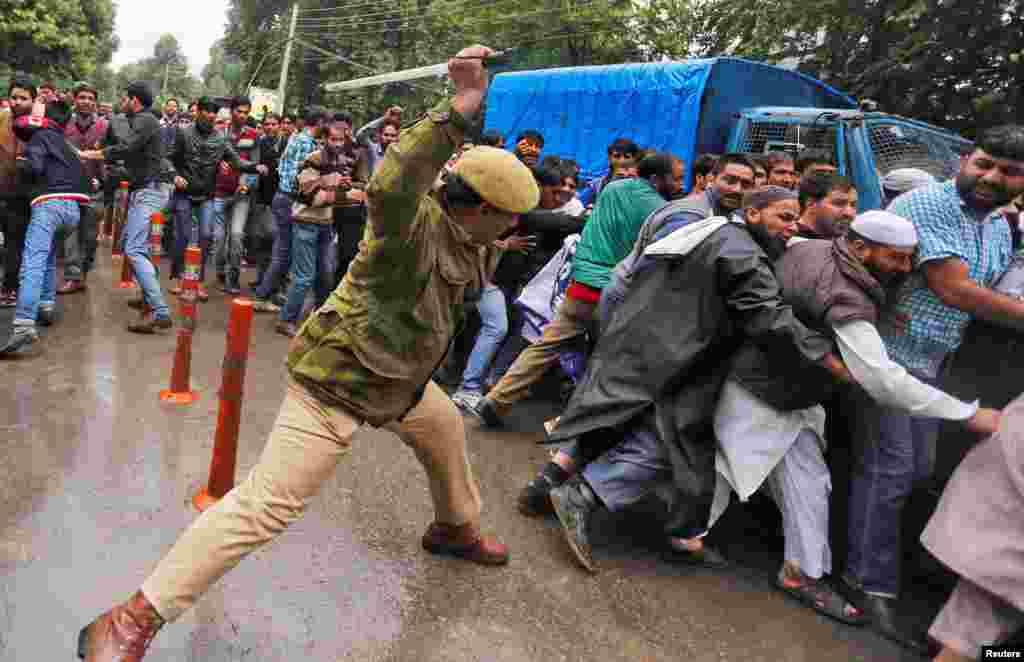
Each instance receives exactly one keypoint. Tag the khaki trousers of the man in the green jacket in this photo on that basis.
(572, 321)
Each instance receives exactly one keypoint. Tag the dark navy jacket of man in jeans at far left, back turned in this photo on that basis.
(52, 167)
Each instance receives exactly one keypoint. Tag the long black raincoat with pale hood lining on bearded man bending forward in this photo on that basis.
(666, 352)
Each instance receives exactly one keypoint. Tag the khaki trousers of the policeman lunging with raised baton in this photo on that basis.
(308, 442)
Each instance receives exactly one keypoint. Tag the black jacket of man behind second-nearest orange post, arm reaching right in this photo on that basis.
(197, 156)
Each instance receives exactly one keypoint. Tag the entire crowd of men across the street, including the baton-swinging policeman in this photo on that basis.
(717, 341)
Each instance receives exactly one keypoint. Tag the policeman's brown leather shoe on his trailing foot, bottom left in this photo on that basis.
(121, 635)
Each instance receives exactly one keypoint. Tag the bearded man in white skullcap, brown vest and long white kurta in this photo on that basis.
(770, 423)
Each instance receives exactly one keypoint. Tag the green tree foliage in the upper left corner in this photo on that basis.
(62, 39)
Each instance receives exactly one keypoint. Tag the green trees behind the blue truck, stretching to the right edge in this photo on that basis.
(953, 63)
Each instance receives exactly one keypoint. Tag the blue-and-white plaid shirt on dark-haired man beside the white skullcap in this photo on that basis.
(947, 228)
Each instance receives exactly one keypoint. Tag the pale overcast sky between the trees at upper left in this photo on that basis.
(197, 24)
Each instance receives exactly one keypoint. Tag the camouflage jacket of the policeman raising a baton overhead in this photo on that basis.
(377, 342)
